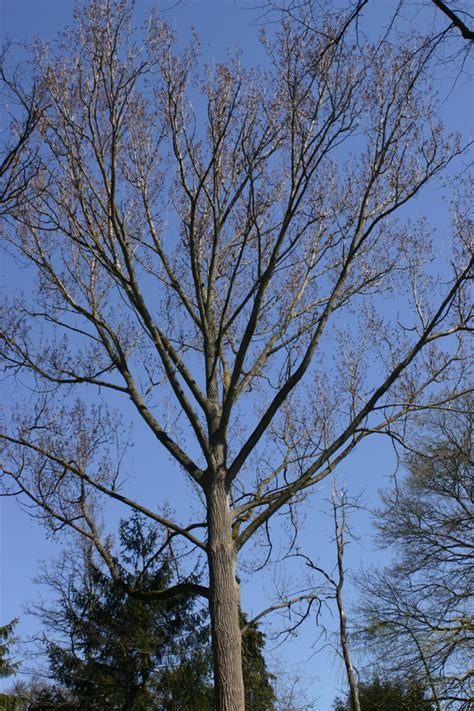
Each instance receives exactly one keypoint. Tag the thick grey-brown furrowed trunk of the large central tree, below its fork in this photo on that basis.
(224, 602)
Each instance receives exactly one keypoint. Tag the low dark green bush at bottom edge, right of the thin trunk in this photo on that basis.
(387, 695)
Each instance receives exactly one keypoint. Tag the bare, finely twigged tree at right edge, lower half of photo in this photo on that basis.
(418, 612)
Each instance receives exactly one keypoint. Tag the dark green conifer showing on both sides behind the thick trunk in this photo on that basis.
(112, 650)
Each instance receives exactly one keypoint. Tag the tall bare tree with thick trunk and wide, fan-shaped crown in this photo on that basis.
(200, 267)
